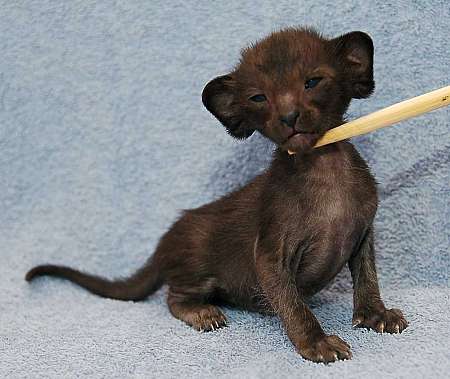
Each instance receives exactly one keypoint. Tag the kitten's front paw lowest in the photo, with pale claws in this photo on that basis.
(326, 349)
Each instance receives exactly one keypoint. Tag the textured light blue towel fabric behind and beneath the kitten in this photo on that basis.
(103, 140)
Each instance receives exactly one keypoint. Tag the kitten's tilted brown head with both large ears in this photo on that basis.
(292, 86)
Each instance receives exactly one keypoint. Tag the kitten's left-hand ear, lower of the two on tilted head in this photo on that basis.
(220, 97)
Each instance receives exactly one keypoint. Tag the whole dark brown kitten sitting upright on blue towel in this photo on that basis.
(286, 234)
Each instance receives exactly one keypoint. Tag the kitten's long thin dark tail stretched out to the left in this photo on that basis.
(137, 287)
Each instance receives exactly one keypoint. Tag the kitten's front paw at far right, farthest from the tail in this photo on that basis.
(381, 320)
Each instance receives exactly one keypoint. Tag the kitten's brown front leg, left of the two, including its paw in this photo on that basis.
(277, 281)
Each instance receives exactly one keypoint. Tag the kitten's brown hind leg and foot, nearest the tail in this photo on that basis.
(194, 312)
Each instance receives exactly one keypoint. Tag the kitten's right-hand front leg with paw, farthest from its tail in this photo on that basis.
(368, 308)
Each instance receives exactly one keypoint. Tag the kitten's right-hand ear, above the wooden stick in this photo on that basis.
(355, 56)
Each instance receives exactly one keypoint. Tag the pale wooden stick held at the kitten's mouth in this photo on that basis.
(387, 116)
